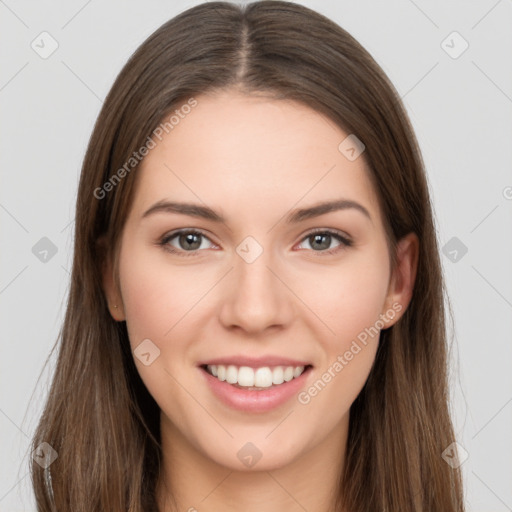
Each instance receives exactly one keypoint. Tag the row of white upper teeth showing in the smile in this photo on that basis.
(260, 377)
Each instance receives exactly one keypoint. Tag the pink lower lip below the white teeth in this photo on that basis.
(255, 401)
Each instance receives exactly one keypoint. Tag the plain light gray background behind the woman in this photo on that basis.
(460, 105)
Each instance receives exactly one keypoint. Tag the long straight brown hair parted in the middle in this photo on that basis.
(99, 417)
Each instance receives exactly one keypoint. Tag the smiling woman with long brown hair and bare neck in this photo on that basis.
(255, 319)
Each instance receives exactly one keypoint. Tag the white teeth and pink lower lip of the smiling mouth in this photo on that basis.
(255, 389)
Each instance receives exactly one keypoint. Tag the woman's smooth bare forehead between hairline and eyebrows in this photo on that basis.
(239, 151)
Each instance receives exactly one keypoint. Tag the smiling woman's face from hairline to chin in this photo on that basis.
(252, 274)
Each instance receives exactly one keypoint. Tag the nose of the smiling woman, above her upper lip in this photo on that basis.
(255, 298)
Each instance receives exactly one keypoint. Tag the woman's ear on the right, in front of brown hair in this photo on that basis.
(401, 284)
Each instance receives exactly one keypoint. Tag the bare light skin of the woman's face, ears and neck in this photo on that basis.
(254, 161)
